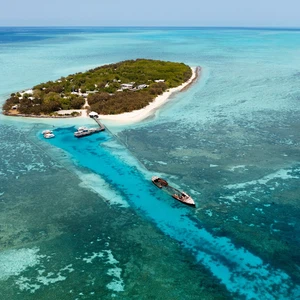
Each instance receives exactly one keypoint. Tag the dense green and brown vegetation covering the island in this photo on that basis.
(103, 87)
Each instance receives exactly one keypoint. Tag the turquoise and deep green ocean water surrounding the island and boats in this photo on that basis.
(80, 219)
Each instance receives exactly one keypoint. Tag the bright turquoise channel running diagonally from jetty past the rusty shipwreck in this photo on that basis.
(240, 271)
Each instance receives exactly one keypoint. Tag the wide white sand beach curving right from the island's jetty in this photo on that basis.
(141, 114)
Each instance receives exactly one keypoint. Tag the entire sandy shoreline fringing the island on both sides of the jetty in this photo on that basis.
(128, 117)
